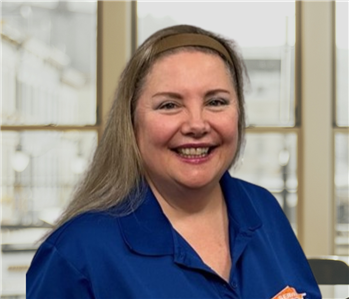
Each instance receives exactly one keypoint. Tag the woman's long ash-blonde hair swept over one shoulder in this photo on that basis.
(115, 176)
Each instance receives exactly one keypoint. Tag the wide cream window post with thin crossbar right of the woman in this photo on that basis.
(315, 152)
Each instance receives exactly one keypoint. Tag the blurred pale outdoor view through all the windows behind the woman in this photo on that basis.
(48, 82)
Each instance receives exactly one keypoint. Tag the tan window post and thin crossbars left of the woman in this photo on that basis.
(109, 16)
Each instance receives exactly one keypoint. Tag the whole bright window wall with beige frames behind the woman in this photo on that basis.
(60, 62)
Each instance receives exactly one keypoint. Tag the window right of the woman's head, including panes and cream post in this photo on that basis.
(287, 50)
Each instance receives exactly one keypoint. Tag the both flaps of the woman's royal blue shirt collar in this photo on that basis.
(147, 230)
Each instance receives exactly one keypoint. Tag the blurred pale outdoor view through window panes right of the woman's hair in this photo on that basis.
(266, 36)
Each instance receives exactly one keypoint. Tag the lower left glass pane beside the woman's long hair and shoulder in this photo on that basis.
(38, 172)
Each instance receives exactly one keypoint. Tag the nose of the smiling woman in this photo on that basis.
(195, 124)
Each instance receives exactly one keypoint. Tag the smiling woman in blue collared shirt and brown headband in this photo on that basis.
(157, 214)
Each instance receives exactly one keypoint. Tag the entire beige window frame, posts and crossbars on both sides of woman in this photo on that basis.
(116, 33)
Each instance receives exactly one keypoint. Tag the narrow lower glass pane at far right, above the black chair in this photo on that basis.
(342, 193)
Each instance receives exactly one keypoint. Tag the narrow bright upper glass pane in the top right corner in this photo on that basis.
(342, 63)
